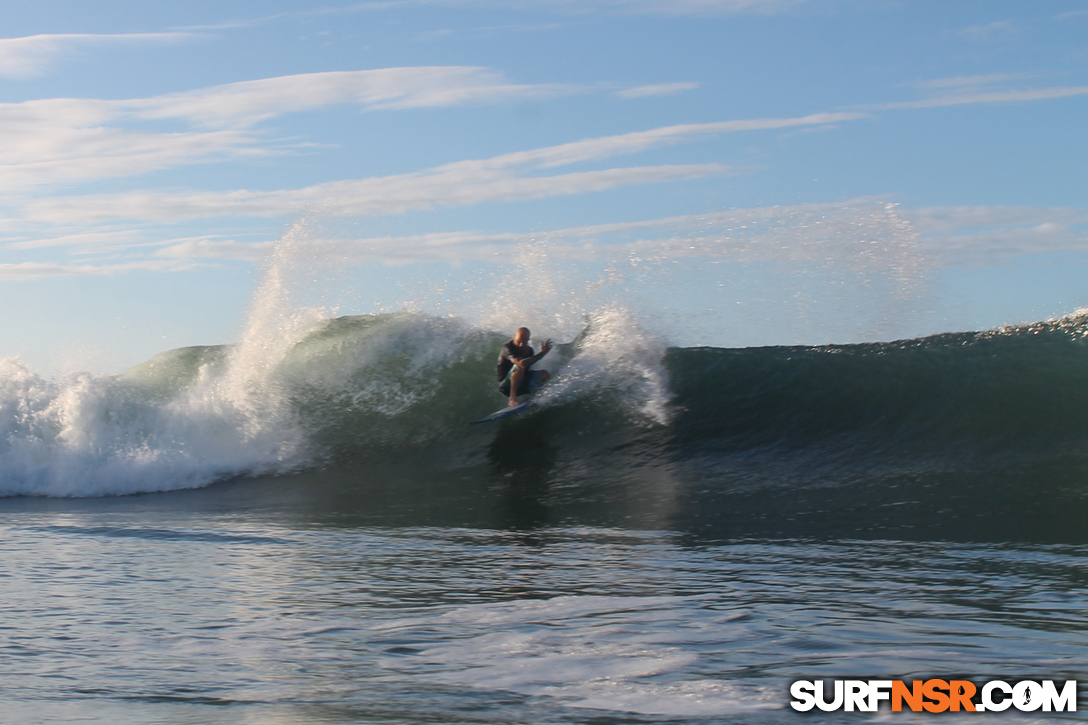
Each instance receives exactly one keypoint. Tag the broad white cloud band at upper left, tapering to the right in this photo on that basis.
(68, 141)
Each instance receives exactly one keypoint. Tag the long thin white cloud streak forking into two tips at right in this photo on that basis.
(505, 178)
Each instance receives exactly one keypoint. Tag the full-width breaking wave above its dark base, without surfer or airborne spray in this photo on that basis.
(384, 385)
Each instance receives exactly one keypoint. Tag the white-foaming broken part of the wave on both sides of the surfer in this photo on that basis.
(345, 386)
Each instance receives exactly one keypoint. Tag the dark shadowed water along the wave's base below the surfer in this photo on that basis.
(528, 478)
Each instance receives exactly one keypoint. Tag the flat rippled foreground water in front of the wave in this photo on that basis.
(138, 617)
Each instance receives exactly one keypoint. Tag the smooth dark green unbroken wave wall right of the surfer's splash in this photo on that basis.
(973, 437)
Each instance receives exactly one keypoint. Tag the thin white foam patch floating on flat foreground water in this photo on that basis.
(616, 654)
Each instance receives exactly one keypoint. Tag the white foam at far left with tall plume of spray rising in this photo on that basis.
(83, 435)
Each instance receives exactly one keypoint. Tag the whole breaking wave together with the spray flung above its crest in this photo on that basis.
(304, 389)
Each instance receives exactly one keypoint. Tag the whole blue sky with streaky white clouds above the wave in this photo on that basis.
(749, 173)
